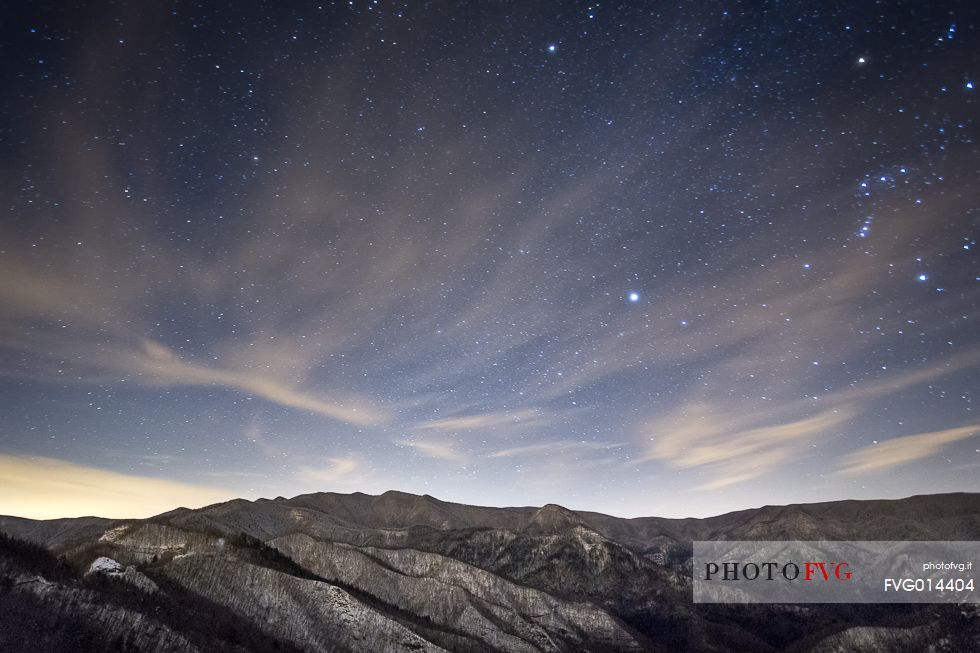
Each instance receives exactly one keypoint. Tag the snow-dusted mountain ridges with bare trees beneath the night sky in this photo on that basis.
(398, 572)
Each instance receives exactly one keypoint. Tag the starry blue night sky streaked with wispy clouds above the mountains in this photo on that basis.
(643, 258)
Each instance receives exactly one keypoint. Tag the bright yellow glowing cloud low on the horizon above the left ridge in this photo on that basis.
(48, 488)
